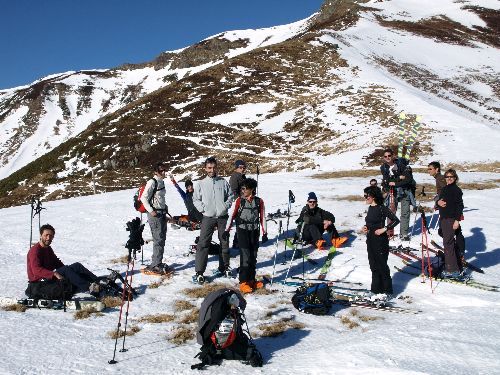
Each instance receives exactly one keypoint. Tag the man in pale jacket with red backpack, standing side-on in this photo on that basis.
(153, 199)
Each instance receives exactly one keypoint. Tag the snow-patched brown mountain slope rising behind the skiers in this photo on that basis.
(322, 93)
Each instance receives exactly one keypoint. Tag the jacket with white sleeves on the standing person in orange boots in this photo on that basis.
(248, 214)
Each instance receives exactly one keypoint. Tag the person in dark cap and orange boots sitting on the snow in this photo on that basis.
(315, 222)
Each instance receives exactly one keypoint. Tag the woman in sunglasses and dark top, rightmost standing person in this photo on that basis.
(451, 208)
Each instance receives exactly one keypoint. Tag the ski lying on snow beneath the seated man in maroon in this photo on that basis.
(74, 304)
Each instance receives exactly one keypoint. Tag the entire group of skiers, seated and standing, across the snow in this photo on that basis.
(217, 204)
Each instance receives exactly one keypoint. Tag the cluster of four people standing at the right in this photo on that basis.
(398, 186)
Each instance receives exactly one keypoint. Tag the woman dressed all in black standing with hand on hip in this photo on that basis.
(377, 241)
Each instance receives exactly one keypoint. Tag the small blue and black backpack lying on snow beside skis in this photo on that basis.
(313, 299)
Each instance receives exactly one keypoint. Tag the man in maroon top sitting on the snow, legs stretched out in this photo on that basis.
(45, 267)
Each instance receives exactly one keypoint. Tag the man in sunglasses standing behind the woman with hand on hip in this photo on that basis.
(398, 176)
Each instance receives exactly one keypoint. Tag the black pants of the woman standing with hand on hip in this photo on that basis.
(378, 252)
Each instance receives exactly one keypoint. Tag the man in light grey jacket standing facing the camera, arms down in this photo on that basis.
(212, 197)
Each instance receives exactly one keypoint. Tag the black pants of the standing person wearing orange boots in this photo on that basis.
(249, 246)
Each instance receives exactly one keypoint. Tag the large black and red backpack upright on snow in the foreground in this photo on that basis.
(221, 333)
